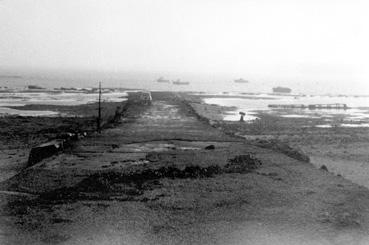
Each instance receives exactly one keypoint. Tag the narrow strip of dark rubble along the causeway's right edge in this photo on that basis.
(284, 148)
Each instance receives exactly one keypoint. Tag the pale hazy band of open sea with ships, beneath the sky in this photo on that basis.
(212, 83)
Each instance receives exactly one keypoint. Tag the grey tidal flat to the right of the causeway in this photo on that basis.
(341, 149)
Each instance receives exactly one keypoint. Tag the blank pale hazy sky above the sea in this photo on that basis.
(306, 40)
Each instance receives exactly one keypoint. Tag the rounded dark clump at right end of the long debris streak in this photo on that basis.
(242, 164)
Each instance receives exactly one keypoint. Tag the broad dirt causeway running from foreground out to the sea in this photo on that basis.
(164, 175)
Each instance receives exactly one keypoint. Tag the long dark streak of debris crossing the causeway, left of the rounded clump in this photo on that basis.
(109, 184)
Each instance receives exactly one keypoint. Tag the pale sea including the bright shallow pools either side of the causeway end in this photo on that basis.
(258, 90)
